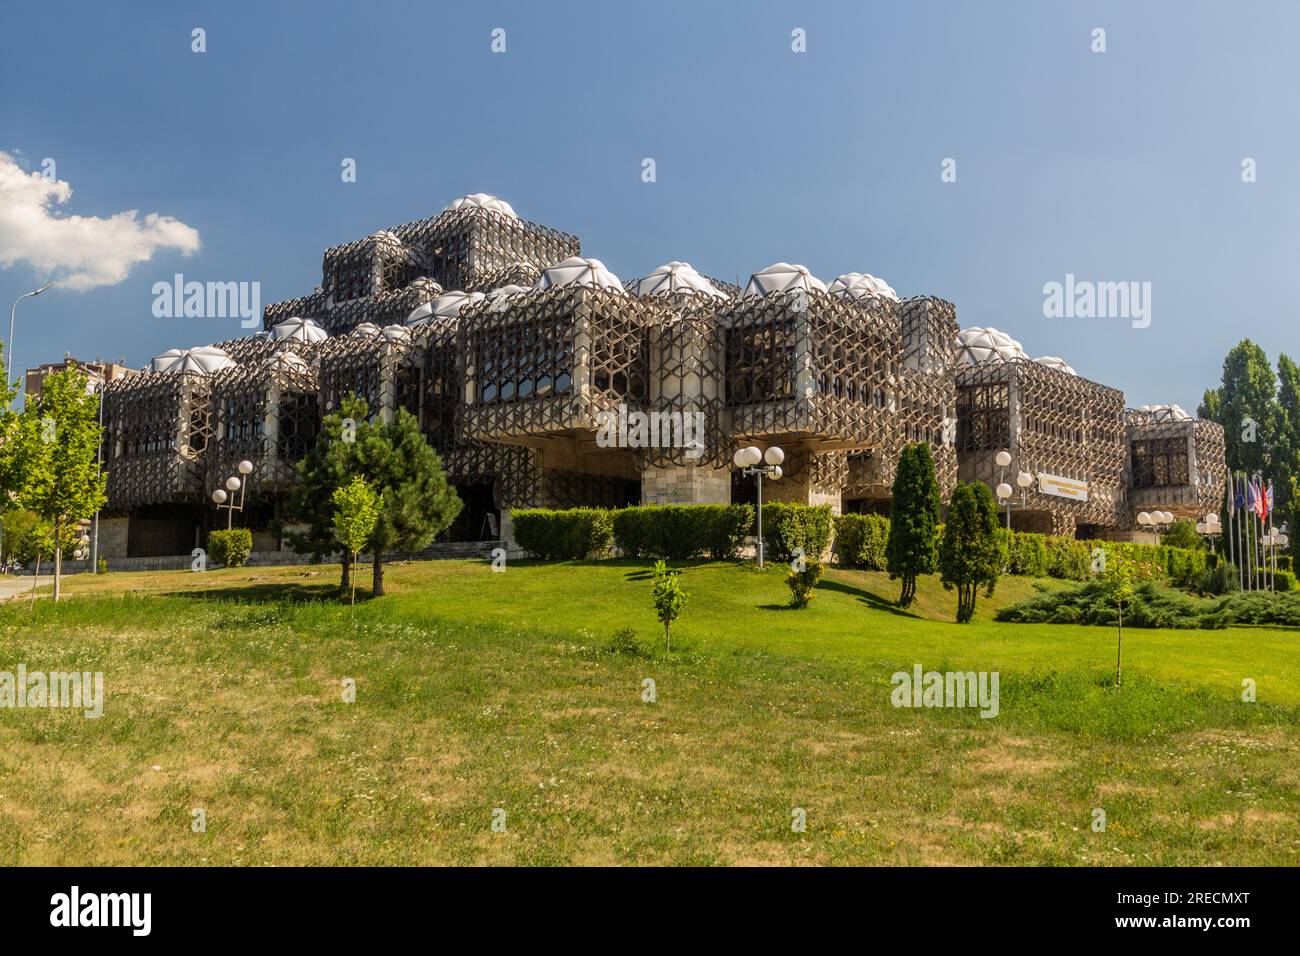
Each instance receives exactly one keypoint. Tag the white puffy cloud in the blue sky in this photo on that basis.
(84, 252)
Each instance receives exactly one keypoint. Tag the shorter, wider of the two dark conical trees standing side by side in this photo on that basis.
(970, 555)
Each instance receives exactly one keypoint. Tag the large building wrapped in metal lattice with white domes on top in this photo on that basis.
(522, 360)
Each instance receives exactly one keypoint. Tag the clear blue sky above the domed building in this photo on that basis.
(1124, 166)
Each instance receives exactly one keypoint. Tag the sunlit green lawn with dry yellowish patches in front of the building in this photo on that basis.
(480, 691)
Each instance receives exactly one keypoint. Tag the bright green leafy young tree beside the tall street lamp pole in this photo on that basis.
(59, 439)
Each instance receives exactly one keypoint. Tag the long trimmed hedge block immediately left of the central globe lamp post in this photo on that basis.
(677, 533)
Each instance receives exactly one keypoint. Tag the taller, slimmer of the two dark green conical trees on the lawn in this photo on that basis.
(913, 521)
